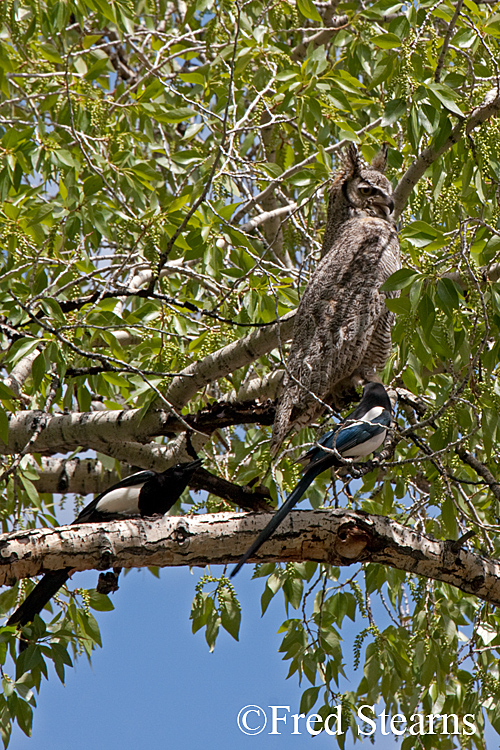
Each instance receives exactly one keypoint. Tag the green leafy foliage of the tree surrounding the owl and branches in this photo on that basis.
(140, 143)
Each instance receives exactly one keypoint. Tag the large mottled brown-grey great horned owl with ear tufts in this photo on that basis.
(342, 331)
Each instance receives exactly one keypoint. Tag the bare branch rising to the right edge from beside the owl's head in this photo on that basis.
(489, 107)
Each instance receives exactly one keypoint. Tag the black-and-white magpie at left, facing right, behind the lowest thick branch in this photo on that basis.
(146, 493)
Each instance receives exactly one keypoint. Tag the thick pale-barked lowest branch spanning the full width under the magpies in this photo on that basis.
(337, 537)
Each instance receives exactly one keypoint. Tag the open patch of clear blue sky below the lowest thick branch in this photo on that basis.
(154, 684)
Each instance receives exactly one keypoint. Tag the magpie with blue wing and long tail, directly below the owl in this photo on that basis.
(362, 432)
